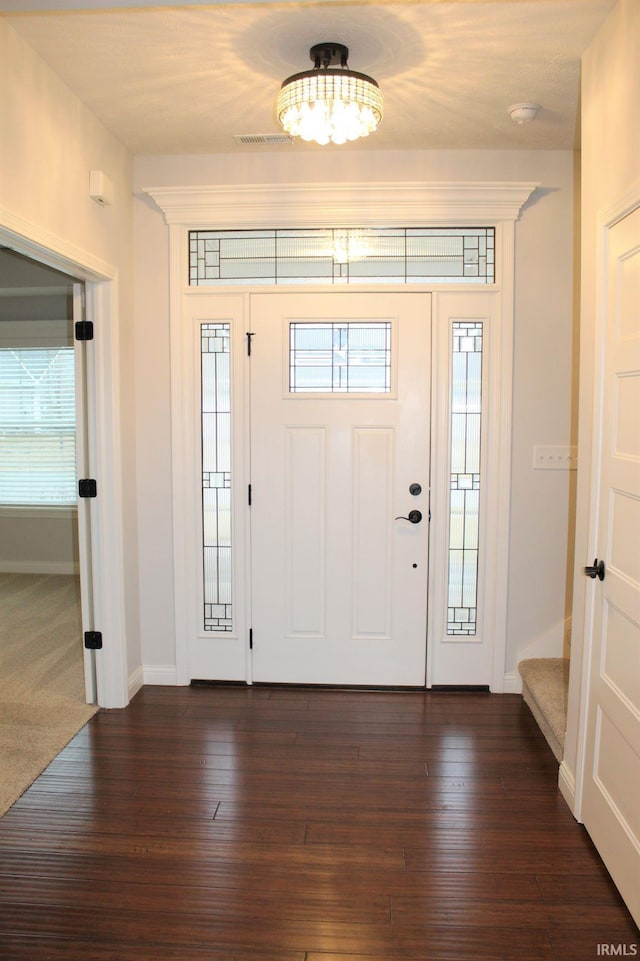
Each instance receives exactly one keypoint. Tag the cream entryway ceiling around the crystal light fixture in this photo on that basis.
(169, 79)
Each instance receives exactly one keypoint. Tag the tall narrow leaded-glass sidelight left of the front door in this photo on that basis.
(216, 475)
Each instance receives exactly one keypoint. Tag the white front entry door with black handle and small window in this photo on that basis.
(339, 463)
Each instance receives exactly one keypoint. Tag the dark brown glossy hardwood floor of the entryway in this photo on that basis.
(275, 824)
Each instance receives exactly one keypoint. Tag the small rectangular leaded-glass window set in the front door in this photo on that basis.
(340, 357)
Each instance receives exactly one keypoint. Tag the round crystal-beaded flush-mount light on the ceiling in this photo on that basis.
(329, 104)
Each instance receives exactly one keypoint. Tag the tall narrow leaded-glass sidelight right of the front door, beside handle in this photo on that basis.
(464, 513)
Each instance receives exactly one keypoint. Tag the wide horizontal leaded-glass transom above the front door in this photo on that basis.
(343, 255)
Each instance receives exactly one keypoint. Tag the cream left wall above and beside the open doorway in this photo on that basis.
(49, 142)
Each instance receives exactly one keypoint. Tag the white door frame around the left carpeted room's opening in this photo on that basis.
(103, 577)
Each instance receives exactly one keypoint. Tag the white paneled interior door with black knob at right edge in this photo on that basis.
(610, 808)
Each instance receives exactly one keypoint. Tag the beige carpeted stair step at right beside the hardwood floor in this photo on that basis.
(545, 682)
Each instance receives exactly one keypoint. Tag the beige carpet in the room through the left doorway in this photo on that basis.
(42, 701)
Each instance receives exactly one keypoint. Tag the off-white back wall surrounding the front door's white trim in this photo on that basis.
(543, 363)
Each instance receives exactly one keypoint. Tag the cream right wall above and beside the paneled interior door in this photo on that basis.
(610, 167)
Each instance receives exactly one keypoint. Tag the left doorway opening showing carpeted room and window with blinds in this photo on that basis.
(45, 693)
